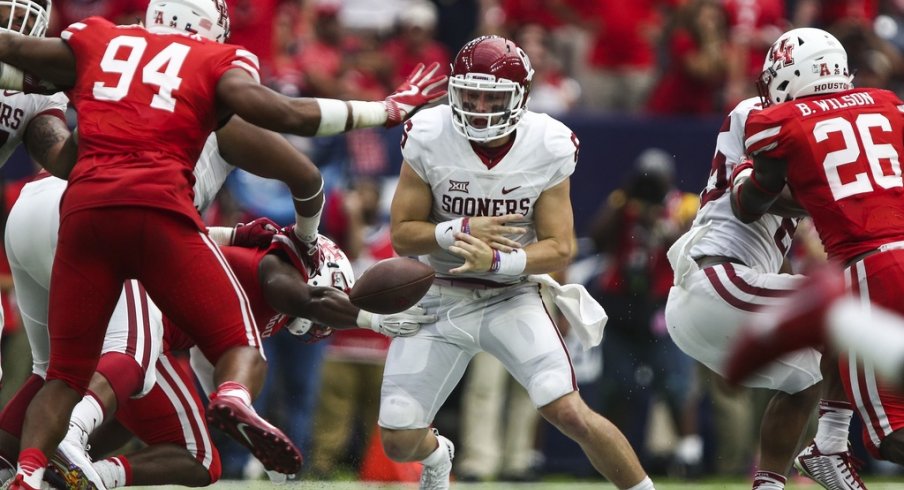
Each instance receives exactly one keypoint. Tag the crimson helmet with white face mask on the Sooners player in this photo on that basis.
(489, 88)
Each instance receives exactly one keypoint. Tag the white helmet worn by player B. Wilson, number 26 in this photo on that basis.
(803, 62)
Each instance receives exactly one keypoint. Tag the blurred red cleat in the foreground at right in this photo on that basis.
(799, 322)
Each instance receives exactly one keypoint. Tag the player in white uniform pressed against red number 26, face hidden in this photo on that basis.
(725, 273)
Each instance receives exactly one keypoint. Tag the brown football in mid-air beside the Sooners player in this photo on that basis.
(392, 285)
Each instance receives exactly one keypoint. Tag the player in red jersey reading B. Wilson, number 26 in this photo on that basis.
(845, 145)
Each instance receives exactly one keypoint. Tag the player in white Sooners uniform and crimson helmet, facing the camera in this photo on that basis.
(483, 196)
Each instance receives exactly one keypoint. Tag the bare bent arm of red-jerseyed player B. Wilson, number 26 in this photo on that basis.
(753, 195)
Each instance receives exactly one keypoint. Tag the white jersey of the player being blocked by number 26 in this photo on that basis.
(760, 245)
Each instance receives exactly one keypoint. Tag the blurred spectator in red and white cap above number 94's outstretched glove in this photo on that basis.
(415, 43)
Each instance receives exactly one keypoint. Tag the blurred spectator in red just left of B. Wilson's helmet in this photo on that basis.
(698, 52)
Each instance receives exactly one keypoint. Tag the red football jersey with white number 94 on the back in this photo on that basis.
(146, 104)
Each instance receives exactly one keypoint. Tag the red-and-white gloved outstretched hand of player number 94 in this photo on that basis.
(422, 87)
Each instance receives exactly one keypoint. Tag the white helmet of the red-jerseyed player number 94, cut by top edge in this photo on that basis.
(206, 18)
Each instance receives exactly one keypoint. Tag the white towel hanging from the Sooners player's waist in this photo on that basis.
(584, 314)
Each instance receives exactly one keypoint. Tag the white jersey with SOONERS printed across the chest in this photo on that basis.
(543, 154)
